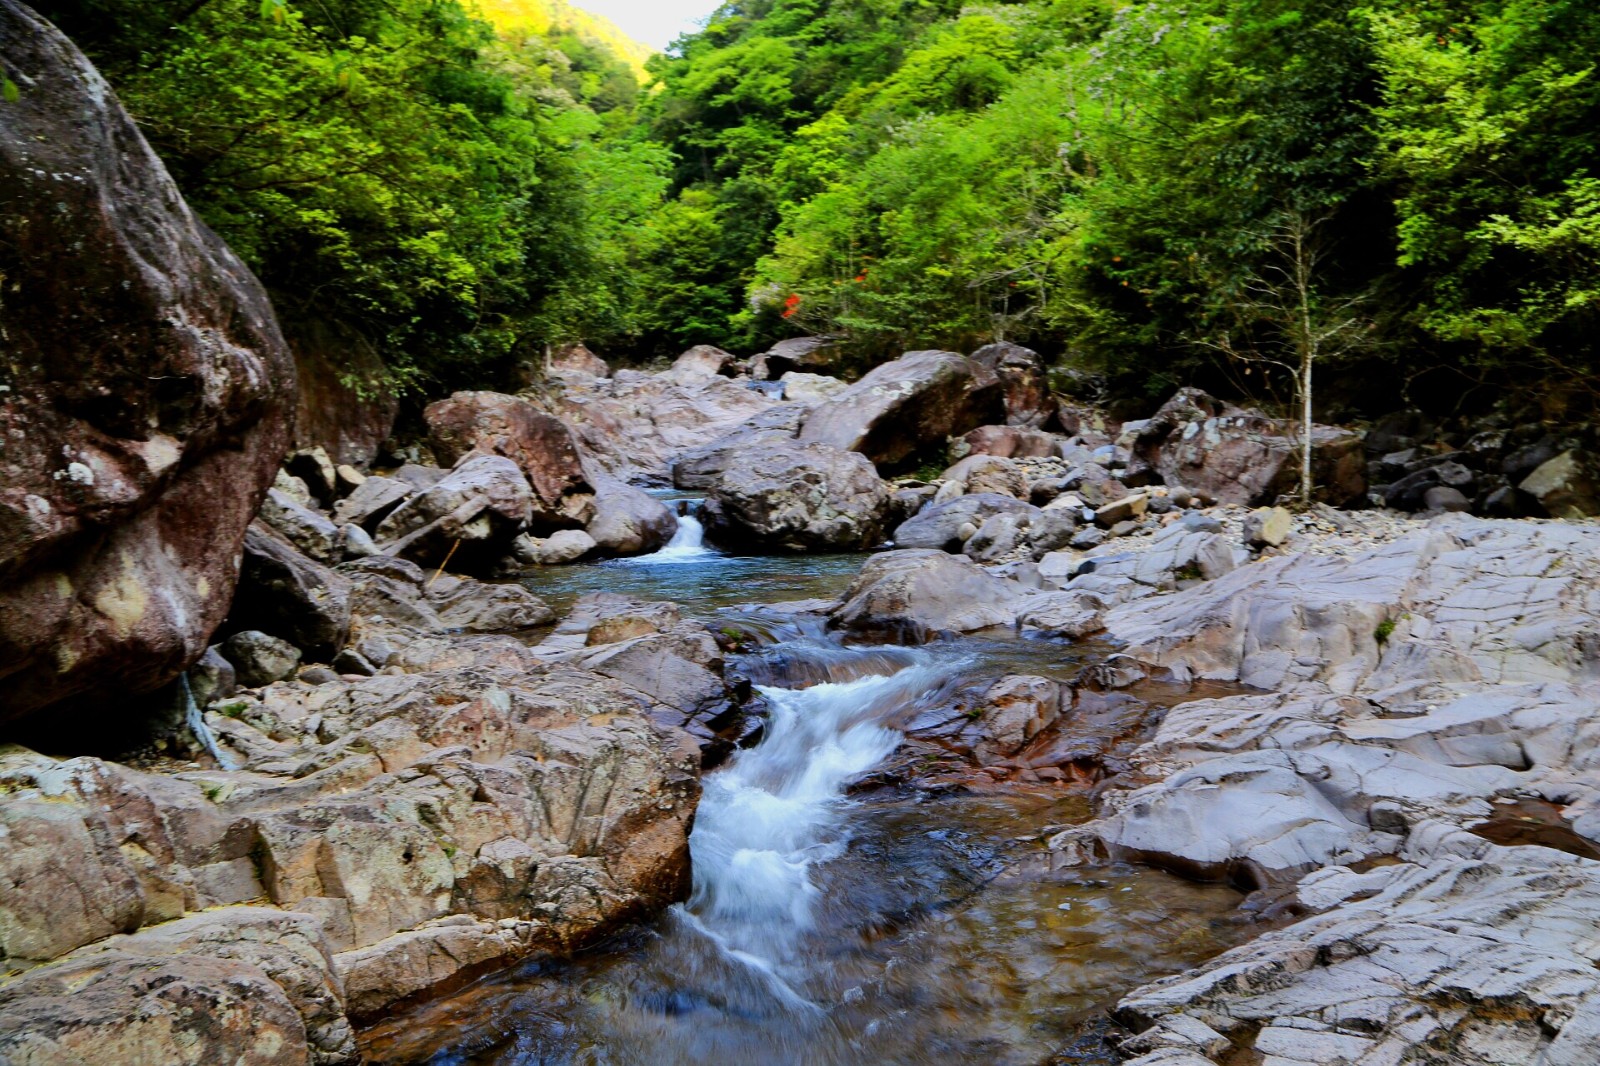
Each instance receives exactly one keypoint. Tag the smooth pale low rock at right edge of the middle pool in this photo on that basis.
(921, 593)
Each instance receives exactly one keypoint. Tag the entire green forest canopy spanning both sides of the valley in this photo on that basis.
(1106, 182)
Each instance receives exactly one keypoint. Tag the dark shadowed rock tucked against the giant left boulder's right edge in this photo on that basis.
(290, 596)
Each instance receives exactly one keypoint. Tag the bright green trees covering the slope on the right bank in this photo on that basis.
(1113, 180)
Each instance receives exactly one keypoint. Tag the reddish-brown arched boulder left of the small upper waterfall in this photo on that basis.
(540, 444)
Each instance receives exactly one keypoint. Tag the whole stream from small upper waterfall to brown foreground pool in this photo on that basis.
(830, 926)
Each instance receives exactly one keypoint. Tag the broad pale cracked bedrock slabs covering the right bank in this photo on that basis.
(1414, 702)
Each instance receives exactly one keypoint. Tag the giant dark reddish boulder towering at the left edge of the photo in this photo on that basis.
(148, 396)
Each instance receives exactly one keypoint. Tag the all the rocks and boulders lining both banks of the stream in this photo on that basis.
(358, 763)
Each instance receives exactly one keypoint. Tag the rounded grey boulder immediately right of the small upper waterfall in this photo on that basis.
(796, 499)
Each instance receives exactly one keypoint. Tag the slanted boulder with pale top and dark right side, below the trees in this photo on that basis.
(910, 407)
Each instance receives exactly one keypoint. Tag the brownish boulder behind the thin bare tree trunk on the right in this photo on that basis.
(1241, 457)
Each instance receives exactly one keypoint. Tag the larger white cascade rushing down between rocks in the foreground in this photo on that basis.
(780, 808)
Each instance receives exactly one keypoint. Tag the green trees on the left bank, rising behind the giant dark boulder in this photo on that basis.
(398, 167)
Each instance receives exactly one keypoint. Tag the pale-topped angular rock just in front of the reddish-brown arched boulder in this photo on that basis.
(471, 516)
